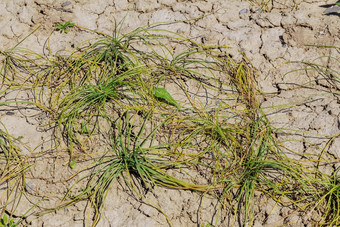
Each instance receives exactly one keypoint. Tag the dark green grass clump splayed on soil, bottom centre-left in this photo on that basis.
(135, 159)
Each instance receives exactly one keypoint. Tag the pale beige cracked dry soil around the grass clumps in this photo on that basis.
(300, 101)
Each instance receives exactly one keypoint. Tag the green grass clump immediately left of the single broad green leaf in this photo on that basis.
(90, 101)
